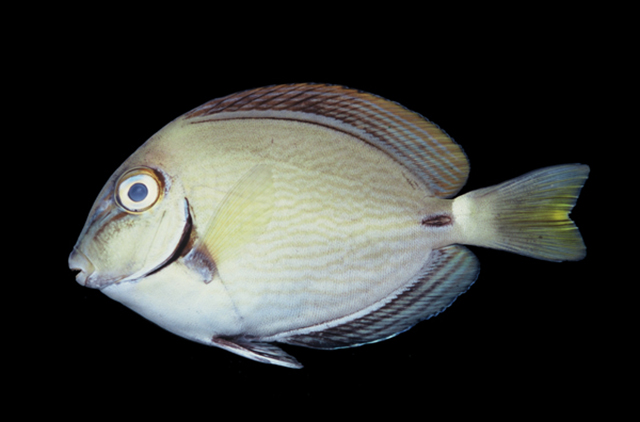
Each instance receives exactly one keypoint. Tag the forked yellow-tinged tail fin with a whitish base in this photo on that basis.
(528, 215)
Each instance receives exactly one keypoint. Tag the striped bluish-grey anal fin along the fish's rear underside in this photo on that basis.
(448, 273)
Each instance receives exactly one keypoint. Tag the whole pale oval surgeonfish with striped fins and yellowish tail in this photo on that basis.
(309, 215)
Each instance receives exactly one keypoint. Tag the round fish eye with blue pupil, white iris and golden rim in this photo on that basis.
(138, 190)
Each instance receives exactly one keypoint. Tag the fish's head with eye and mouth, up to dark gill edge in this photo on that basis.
(138, 224)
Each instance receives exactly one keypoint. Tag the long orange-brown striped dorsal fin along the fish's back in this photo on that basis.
(409, 138)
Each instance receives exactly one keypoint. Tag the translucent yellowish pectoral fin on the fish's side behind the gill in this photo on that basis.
(240, 219)
